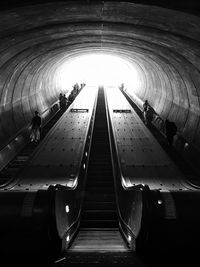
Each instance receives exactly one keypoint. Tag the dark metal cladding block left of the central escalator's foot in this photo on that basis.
(28, 227)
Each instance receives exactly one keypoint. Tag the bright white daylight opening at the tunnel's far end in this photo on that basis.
(97, 69)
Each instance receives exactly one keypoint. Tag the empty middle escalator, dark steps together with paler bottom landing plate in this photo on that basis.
(99, 239)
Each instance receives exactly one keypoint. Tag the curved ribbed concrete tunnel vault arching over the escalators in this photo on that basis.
(163, 44)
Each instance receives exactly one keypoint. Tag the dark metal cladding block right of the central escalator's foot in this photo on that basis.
(170, 227)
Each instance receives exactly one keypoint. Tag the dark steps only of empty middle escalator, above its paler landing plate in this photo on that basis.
(99, 208)
